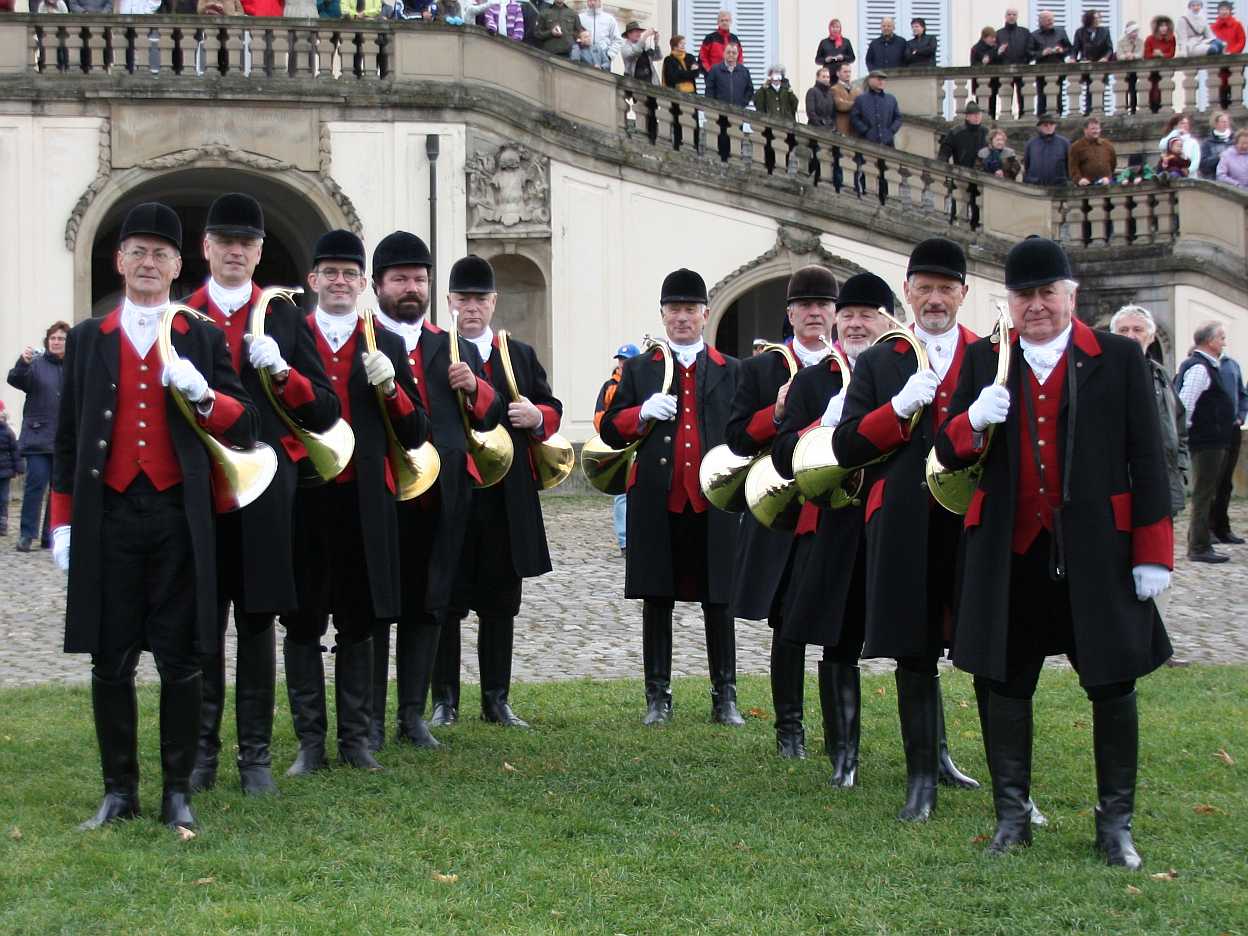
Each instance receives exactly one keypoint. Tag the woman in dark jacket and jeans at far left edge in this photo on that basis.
(39, 375)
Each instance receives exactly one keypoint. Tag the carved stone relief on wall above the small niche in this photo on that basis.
(509, 192)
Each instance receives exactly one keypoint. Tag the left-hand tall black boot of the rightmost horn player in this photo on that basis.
(1009, 733)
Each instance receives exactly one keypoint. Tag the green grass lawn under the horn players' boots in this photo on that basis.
(593, 824)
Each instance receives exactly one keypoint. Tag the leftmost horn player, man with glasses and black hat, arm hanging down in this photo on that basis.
(133, 481)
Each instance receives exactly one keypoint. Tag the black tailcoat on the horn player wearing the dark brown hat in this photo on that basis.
(762, 553)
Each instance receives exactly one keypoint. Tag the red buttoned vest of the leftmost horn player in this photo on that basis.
(140, 437)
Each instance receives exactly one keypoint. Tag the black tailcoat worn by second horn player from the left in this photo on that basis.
(268, 561)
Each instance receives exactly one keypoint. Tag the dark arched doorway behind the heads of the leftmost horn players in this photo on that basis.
(291, 227)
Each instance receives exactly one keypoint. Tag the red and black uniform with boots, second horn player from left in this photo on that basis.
(255, 558)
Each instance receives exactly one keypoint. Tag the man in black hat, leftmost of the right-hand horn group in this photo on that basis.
(680, 548)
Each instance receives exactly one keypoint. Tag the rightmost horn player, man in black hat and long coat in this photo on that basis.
(1069, 537)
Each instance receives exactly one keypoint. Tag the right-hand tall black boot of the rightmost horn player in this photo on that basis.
(1116, 743)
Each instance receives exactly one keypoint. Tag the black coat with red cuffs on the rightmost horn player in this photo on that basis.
(1118, 485)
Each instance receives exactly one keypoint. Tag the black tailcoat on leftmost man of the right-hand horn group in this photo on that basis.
(651, 563)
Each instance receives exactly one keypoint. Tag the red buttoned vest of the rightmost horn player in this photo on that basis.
(1036, 501)
